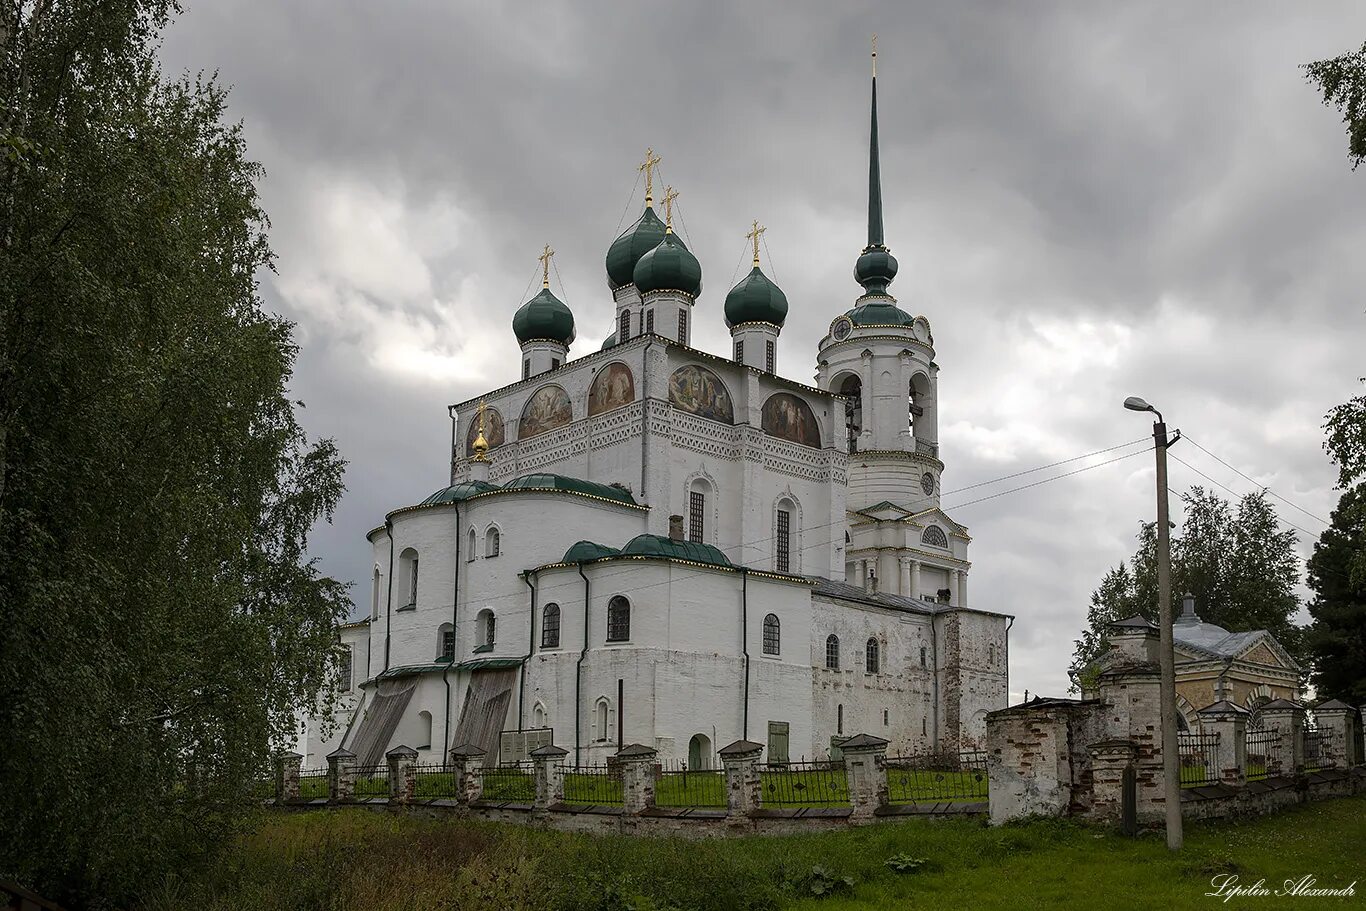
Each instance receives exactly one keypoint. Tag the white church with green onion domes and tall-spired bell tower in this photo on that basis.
(654, 544)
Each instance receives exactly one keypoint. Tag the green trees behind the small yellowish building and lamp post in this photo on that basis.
(1238, 563)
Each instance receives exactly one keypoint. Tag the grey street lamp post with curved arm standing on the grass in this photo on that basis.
(1166, 652)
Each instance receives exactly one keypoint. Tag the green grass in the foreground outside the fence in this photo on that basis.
(353, 861)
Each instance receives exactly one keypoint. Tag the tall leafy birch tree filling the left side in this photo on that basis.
(163, 622)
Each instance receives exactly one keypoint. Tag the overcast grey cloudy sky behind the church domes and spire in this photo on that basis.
(1088, 201)
